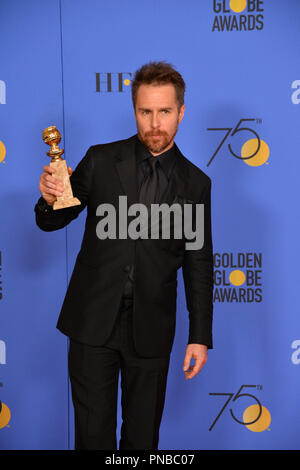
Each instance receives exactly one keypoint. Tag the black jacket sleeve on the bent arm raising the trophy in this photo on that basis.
(48, 219)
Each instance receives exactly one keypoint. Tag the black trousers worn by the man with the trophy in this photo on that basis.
(94, 375)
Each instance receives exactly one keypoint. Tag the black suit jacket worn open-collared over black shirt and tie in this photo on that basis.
(95, 289)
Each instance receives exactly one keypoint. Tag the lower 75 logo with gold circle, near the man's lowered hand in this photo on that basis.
(255, 417)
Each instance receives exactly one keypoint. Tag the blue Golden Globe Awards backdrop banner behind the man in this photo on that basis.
(70, 63)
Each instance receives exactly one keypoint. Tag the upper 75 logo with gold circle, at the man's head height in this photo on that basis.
(254, 151)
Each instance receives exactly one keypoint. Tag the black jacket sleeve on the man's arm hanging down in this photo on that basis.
(197, 272)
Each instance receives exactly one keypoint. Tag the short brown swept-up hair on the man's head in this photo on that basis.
(158, 73)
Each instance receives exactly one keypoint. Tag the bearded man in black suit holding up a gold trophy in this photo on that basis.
(120, 307)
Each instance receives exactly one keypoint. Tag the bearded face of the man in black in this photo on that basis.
(157, 116)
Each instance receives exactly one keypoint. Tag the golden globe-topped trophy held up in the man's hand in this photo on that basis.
(52, 137)
